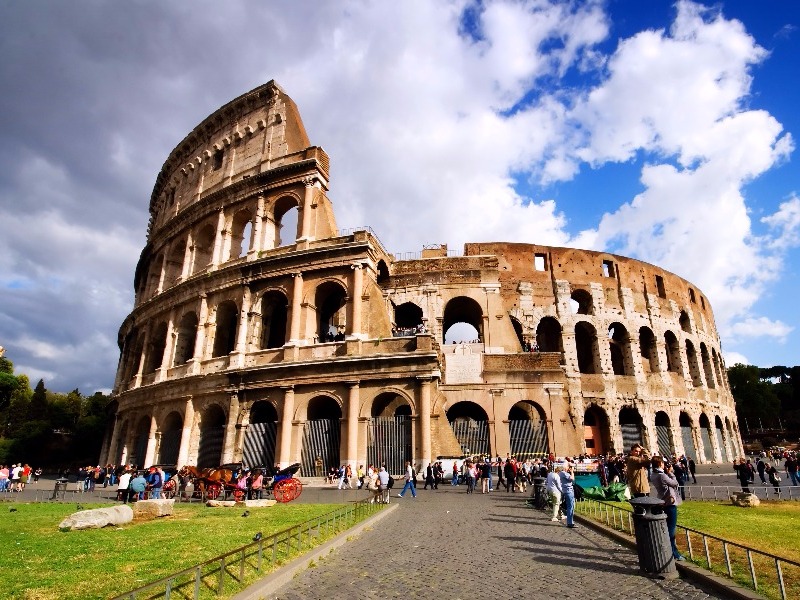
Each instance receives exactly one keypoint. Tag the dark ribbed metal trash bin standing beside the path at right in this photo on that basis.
(652, 537)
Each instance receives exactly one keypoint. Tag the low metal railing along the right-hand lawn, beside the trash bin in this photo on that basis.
(766, 573)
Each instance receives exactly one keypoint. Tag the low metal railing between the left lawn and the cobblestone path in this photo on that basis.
(213, 577)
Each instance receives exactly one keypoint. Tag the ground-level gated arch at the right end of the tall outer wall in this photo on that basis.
(389, 432)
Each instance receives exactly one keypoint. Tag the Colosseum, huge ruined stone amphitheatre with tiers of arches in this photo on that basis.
(262, 332)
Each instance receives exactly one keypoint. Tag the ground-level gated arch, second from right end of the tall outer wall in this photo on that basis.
(321, 434)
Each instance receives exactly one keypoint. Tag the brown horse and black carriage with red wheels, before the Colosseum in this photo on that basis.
(226, 480)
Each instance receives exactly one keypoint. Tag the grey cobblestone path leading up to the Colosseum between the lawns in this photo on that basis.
(448, 544)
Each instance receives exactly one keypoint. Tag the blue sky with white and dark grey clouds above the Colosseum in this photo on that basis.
(662, 131)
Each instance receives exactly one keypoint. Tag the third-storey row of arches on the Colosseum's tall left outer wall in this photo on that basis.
(229, 238)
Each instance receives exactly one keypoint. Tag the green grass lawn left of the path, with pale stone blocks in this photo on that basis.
(39, 562)
